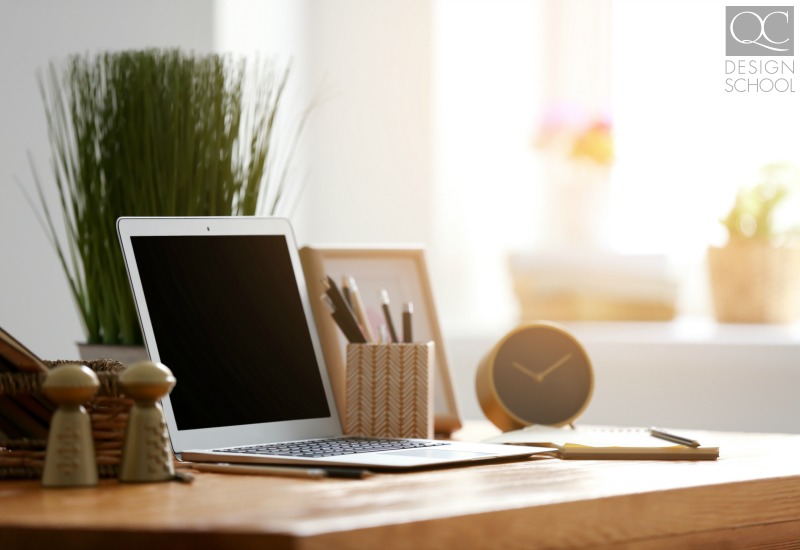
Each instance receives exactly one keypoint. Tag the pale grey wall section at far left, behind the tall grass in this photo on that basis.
(35, 303)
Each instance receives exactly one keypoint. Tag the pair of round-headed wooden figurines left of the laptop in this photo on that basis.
(146, 454)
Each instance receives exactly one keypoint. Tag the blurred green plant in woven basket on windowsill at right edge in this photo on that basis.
(755, 277)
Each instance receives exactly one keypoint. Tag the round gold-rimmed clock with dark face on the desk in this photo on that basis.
(536, 374)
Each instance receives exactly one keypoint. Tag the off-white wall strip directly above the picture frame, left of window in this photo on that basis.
(370, 139)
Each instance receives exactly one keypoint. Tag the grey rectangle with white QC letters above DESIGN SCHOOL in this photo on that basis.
(759, 30)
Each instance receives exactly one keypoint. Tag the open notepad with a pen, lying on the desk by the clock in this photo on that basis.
(605, 443)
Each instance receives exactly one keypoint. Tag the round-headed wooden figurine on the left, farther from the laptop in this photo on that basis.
(70, 459)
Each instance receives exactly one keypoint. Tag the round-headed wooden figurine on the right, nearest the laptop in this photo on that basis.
(146, 454)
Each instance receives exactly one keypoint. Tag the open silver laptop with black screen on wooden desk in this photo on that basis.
(222, 302)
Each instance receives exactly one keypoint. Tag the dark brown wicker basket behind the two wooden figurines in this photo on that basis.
(24, 458)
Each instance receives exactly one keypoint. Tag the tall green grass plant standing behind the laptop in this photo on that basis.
(155, 133)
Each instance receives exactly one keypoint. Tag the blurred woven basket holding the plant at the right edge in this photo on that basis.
(755, 282)
